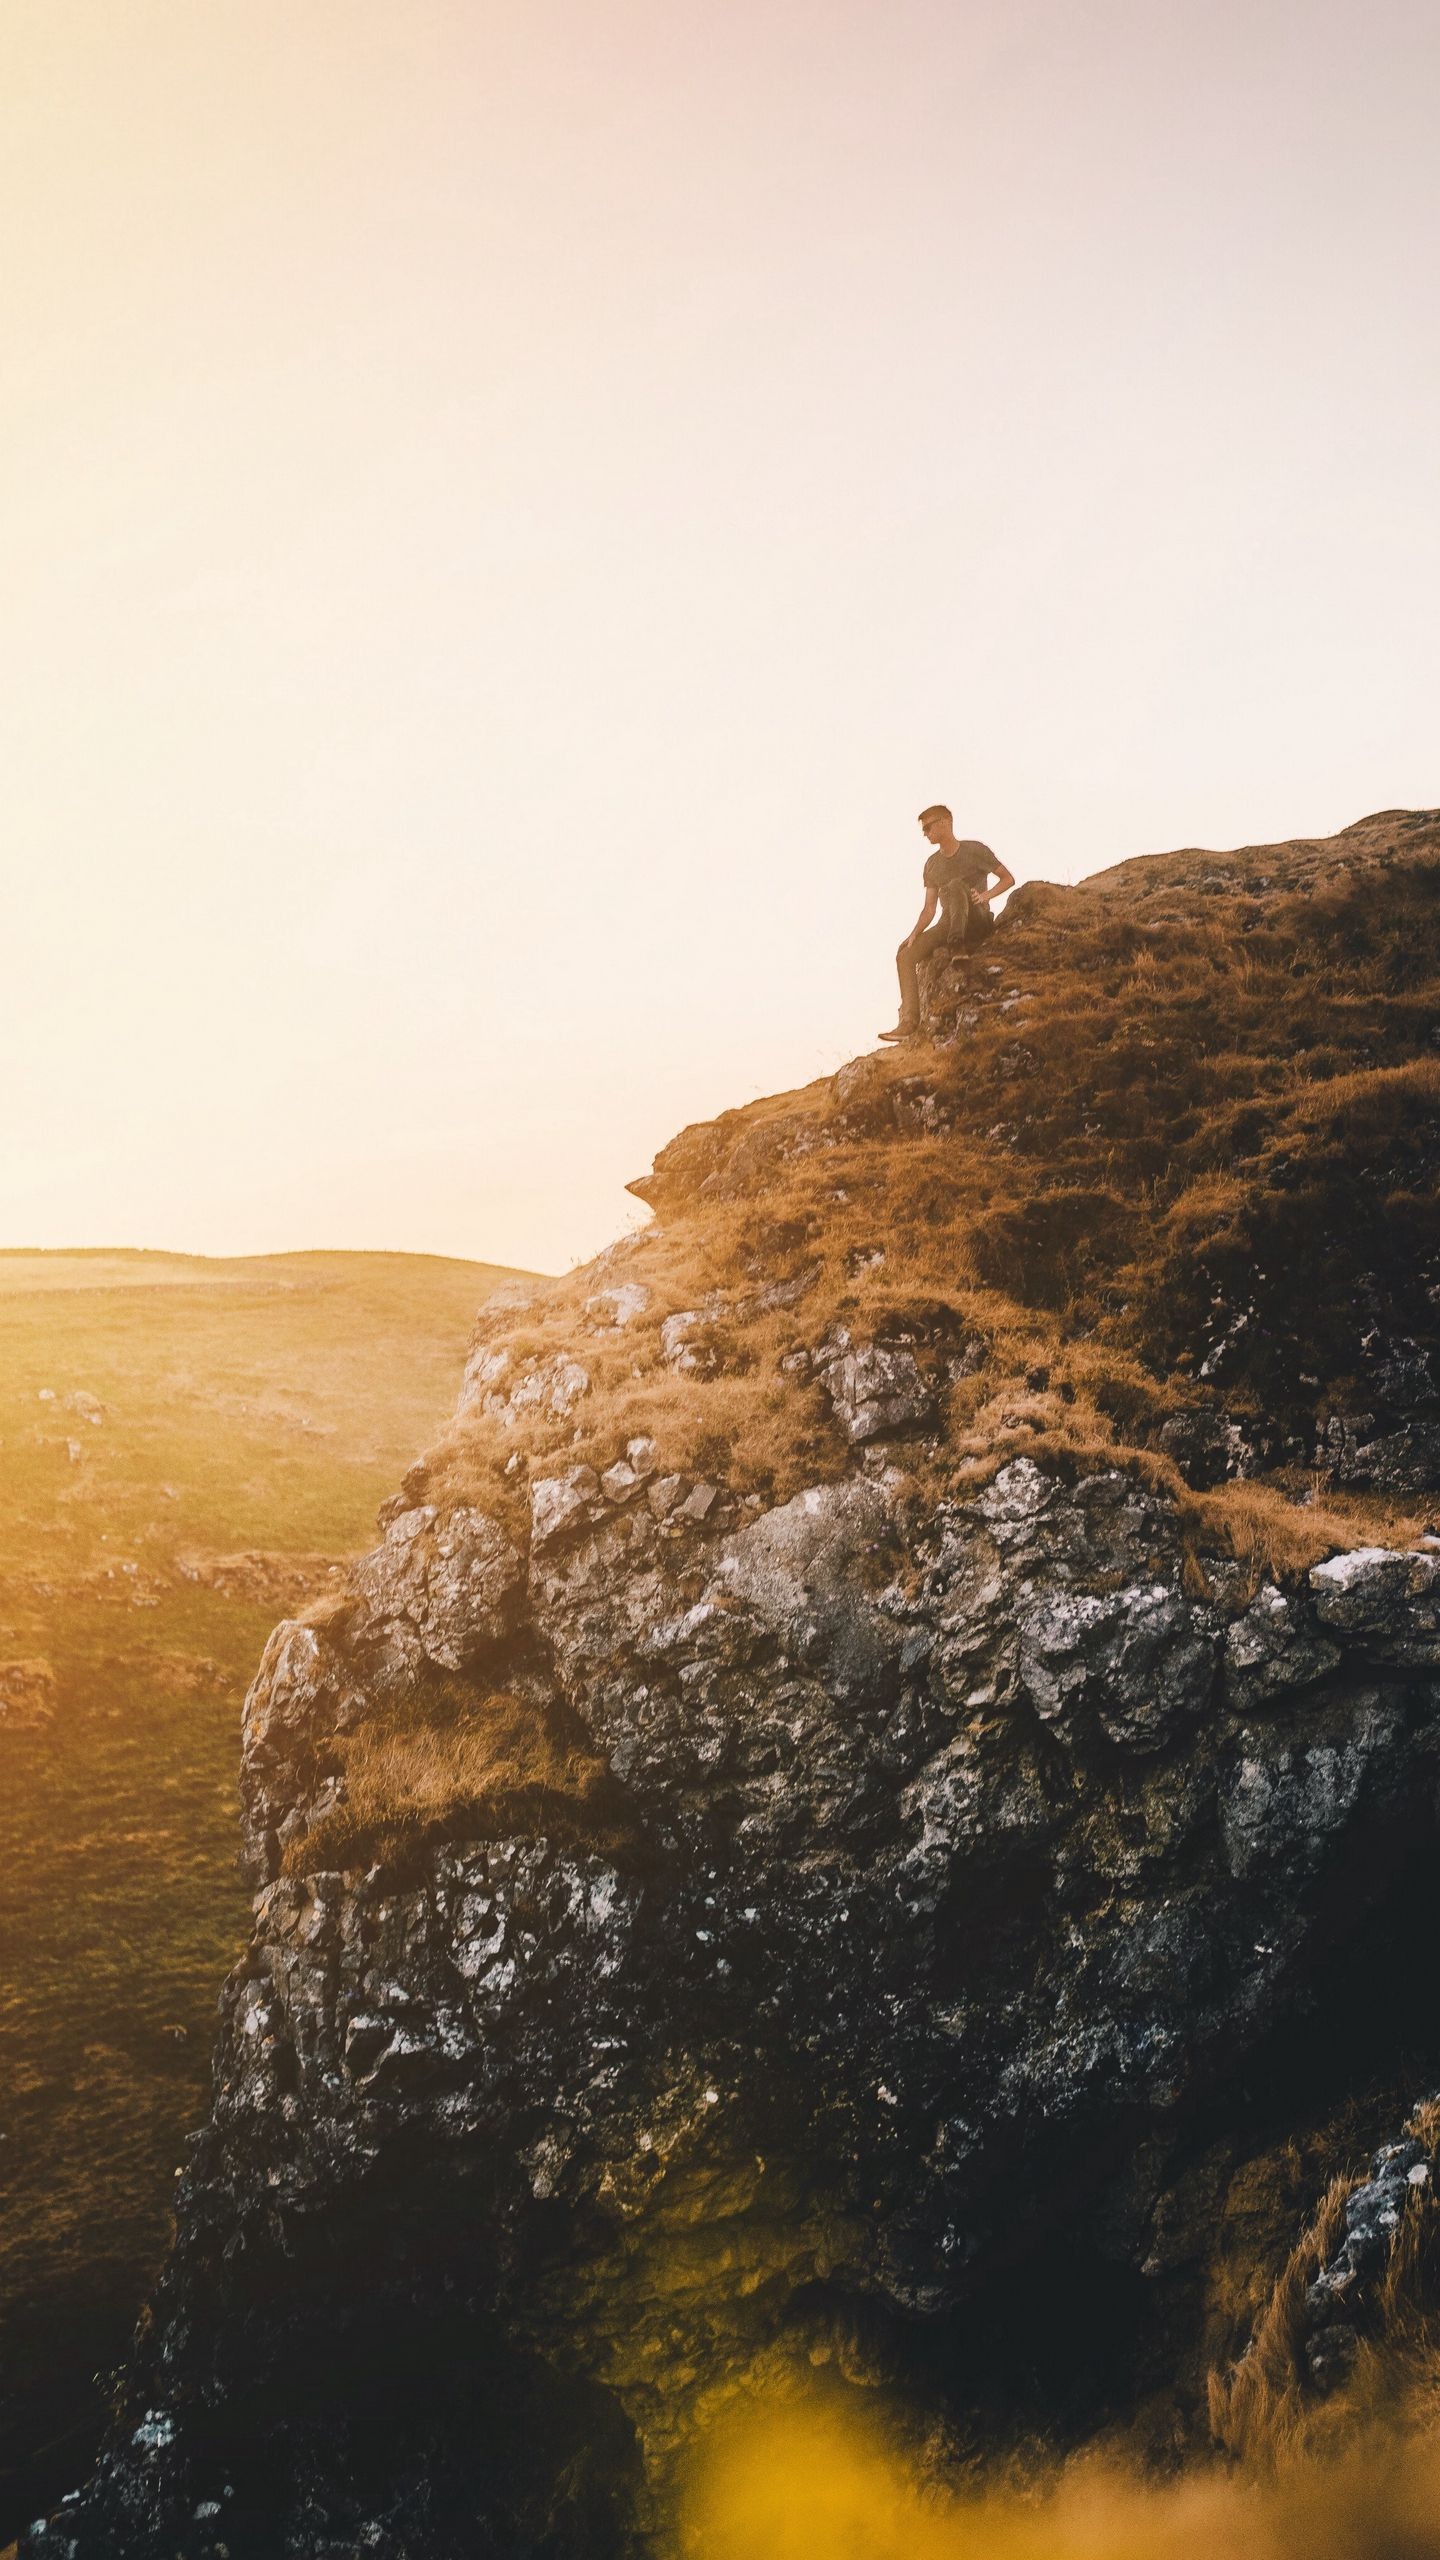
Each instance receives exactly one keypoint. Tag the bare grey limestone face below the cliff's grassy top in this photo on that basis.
(965, 1852)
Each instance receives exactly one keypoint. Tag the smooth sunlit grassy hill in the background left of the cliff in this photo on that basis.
(186, 1450)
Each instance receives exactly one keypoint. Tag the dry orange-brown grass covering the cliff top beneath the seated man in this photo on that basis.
(1065, 1189)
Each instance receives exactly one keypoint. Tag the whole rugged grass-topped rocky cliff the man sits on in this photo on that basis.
(872, 1783)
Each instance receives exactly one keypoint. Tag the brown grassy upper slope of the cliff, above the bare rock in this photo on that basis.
(1159, 1194)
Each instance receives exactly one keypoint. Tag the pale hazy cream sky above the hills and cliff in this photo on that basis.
(509, 508)
